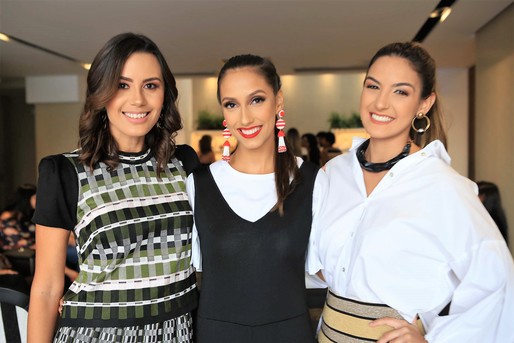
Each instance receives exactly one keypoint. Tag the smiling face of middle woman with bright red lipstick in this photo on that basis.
(250, 107)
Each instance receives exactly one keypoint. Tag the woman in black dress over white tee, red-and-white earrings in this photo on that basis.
(253, 215)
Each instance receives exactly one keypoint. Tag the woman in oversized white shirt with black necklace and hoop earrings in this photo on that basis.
(408, 251)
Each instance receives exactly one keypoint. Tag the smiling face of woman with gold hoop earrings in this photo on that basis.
(391, 98)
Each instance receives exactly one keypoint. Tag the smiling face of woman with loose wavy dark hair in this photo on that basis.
(137, 104)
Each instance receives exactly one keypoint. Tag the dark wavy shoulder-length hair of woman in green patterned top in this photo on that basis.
(95, 140)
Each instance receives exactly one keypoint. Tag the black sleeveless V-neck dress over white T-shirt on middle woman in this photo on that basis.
(253, 273)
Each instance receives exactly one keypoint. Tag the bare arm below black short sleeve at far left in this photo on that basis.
(48, 284)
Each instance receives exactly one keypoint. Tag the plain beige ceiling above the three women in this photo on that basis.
(195, 36)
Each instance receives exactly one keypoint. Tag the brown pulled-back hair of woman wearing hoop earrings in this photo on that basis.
(425, 67)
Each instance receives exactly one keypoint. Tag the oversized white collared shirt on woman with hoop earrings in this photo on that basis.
(421, 239)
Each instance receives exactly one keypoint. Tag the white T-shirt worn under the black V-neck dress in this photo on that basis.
(251, 196)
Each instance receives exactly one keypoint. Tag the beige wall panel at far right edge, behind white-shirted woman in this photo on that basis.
(494, 127)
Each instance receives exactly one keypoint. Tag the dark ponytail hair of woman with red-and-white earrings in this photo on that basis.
(285, 163)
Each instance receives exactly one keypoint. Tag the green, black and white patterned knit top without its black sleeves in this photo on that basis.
(134, 244)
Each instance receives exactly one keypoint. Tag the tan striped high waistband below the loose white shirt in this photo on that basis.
(347, 321)
